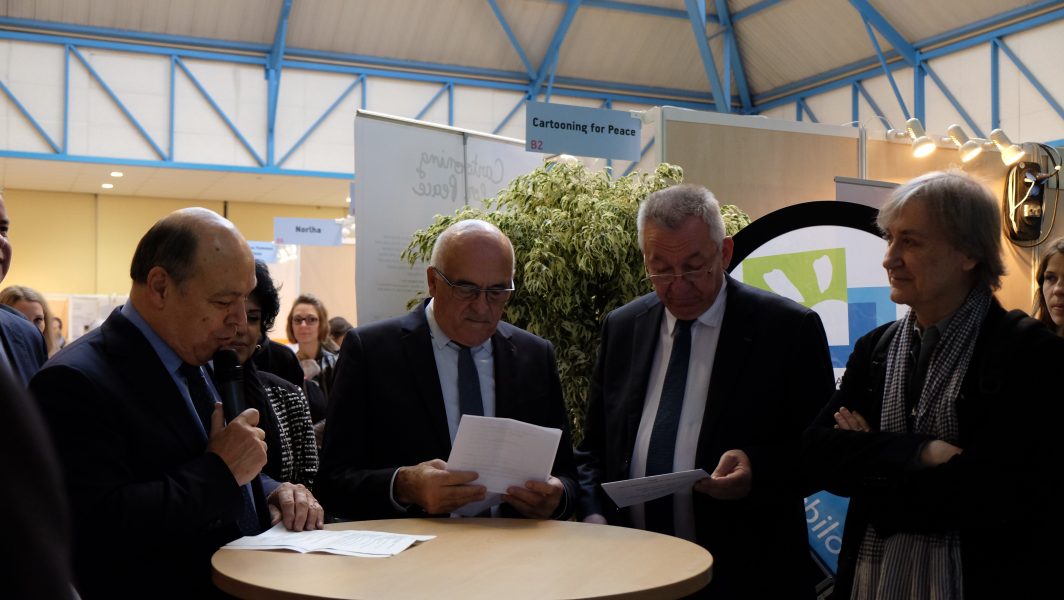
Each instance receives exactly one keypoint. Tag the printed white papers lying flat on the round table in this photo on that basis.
(348, 543)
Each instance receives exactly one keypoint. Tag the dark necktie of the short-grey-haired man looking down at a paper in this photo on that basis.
(662, 447)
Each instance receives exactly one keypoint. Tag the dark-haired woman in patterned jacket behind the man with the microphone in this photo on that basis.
(292, 456)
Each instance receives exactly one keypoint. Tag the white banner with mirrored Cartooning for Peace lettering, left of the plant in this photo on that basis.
(407, 173)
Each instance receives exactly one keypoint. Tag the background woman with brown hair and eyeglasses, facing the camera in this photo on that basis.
(309, 328)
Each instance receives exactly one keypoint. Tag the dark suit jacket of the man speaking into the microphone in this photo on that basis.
(149, 506)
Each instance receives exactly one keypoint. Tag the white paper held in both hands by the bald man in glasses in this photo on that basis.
(504, 453)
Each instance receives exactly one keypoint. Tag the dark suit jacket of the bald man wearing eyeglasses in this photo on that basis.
(387, 410)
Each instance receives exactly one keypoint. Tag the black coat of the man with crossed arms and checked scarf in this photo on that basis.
(1001, 494)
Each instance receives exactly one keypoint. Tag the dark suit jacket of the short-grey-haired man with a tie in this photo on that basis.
(771, 377)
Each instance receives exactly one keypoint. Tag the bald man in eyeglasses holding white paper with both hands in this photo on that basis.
(403, 386)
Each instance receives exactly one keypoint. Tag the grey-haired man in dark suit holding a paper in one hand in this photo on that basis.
(708, 373)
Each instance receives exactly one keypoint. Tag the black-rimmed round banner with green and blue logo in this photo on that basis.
(827, 257)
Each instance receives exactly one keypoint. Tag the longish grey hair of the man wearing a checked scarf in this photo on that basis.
(966, 212)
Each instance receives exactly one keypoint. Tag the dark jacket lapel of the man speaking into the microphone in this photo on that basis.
(131, 349)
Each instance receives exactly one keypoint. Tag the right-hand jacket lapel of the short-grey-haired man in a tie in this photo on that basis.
(734, 345)
